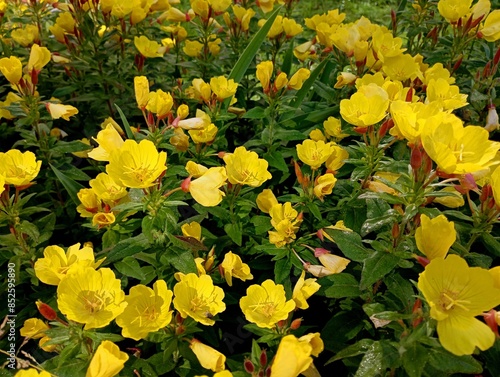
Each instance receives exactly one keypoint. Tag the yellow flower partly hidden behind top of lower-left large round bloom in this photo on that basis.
(55, 264)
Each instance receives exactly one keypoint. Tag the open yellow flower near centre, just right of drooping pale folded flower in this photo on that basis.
(246, 168)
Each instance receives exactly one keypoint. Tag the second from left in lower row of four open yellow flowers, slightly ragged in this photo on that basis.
(147, 310)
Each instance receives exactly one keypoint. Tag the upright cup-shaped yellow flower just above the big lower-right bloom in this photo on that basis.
(435, 236)
